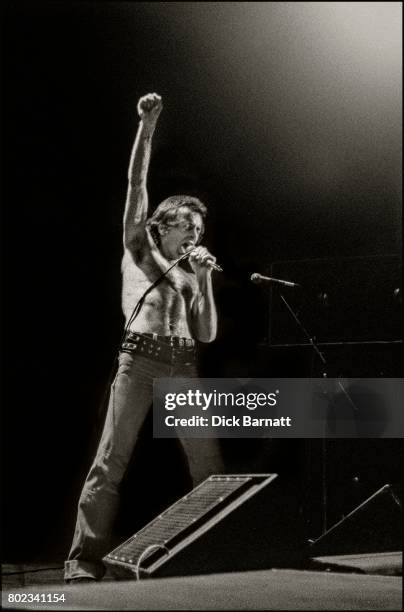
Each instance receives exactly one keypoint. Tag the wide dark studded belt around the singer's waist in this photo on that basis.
(169, 349)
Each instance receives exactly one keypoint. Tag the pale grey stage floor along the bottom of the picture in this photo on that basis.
(274, 589)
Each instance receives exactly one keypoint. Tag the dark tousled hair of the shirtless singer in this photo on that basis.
(168, 211)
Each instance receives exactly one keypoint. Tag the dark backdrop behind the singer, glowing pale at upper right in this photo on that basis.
(286, 119)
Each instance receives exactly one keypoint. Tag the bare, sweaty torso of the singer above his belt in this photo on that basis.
(167, 309)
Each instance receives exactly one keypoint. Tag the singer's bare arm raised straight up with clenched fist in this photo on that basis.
(135, 215)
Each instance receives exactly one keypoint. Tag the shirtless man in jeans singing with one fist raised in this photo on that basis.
(162, 325)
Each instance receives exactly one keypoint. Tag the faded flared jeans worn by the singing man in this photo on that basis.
(130, 399)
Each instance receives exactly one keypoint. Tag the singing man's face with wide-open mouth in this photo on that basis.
(182, 235)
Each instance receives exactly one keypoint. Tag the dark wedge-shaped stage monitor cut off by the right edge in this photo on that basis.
(373, 527)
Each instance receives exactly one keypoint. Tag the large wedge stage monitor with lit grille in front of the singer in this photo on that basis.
(227, 523)
